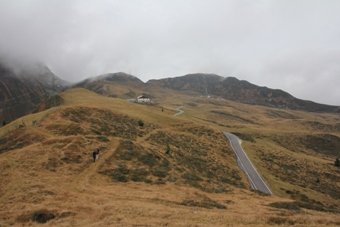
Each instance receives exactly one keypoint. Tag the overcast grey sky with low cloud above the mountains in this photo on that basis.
(293, 45)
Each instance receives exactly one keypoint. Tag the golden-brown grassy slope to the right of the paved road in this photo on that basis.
(295, 151)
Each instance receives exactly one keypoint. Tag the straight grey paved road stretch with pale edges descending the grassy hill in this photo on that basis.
(244, 163)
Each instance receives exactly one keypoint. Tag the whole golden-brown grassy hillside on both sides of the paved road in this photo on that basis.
(155, 169)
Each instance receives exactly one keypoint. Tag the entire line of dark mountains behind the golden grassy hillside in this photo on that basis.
(24, 89)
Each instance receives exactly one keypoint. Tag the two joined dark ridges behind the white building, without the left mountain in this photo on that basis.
(229, 88)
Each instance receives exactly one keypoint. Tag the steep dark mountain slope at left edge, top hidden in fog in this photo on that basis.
(24, 87)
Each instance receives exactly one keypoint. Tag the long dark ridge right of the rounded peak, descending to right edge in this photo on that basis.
(231, 88)
